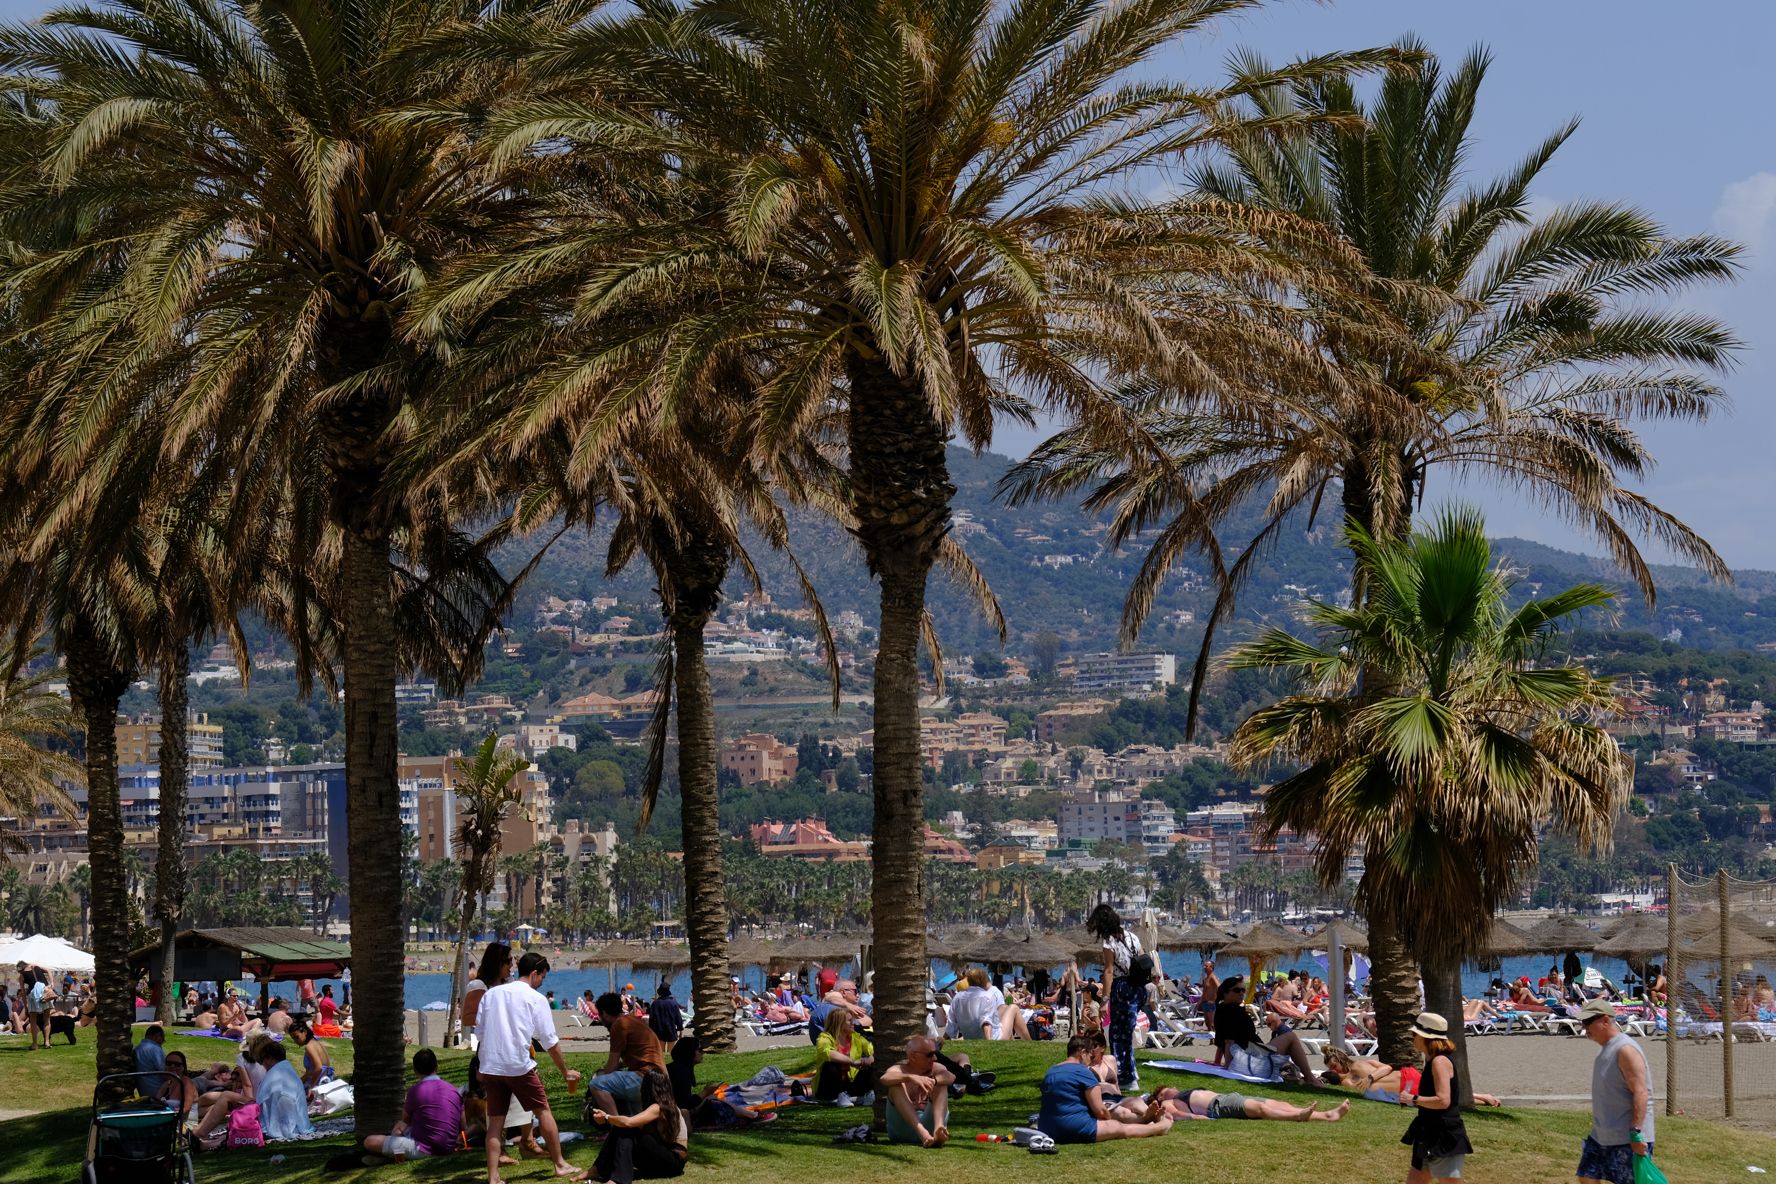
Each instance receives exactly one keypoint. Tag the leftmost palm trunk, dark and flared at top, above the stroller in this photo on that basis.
(99, 684)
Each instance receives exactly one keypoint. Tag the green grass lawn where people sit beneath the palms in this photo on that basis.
(1525, 1146)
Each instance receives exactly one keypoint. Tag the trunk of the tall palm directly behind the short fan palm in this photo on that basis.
(1393, 970)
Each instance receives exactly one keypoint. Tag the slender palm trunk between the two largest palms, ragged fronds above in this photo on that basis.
(695, 594)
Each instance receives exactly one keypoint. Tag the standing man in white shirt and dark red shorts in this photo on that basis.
(512, 1016)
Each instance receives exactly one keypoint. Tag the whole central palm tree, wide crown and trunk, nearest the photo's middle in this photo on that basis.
(912, 219)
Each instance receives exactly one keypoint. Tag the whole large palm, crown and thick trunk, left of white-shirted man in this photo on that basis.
(250, 166)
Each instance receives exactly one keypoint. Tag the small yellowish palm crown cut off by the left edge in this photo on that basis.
(36, 723)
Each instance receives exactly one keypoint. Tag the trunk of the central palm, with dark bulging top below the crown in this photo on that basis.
(901, 498)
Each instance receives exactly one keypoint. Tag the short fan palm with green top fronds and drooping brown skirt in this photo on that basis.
(1447, 780)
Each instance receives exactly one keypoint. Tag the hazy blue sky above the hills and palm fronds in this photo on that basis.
(1677, 122)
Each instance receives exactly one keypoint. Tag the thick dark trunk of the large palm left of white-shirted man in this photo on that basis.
(374, 821)
